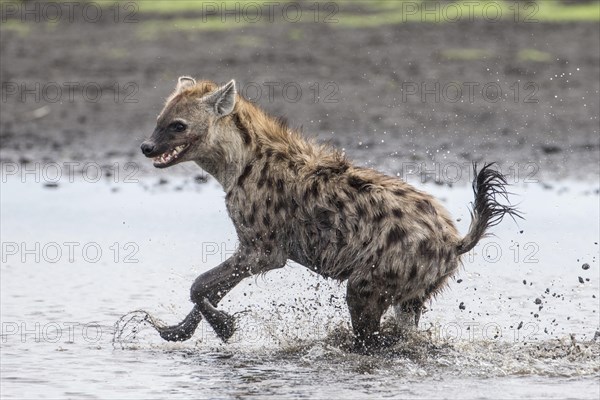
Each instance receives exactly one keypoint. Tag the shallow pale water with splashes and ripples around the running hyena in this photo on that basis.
(106, 249)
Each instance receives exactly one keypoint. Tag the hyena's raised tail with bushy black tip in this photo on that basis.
(488, 186)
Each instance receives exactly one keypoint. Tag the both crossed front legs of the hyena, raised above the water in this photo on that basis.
(210, 287)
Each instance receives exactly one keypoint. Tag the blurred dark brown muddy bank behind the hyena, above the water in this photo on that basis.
(361, 88)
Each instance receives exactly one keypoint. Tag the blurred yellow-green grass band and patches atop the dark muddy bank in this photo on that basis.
(215, 15)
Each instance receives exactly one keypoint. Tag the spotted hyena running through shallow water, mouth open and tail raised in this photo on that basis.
(292, 199)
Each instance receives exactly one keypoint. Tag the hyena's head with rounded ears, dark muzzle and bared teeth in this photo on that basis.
(190, 127)
